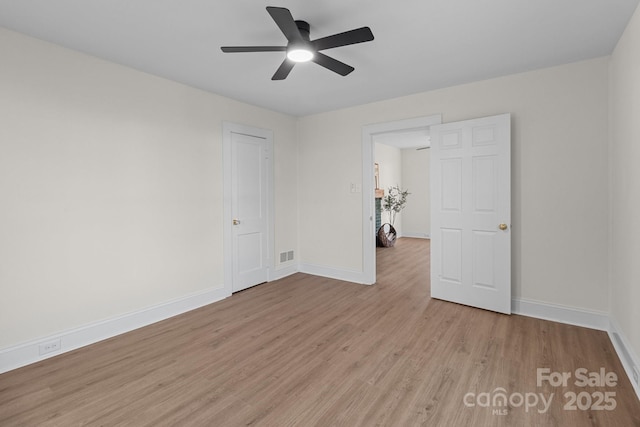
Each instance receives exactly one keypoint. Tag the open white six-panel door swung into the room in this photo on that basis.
(471, 212)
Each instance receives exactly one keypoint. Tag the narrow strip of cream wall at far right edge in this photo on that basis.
(625, 183)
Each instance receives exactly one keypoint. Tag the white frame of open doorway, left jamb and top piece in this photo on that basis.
(368, 185)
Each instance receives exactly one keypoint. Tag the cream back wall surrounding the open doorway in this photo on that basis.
(559, 181)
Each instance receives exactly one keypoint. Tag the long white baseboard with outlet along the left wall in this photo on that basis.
(26, 353)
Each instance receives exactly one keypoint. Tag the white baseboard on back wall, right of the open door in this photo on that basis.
(559, 313)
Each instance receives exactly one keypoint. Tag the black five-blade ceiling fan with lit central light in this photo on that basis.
(301, 49)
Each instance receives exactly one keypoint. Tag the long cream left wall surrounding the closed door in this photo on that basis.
(111, 188)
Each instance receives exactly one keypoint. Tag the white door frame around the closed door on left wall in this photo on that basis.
(228, 128)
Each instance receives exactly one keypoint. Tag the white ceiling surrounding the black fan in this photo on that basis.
(419, 45)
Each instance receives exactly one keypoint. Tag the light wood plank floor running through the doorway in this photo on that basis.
(310, 351)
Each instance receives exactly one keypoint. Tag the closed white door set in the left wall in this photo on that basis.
(249, 210)
